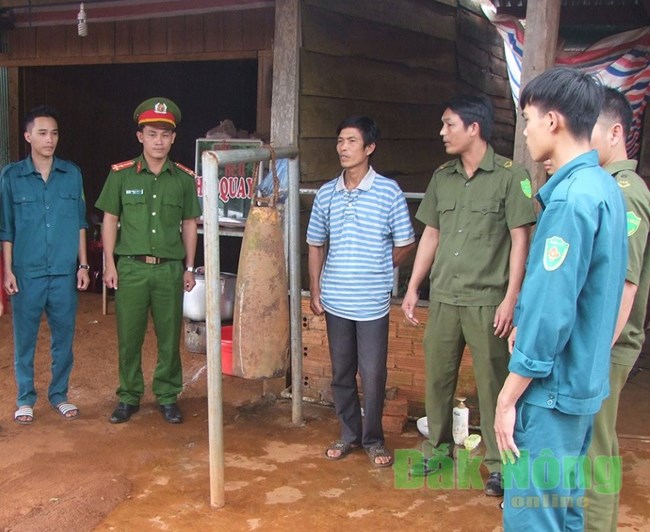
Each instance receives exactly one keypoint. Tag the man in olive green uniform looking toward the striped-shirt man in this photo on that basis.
(477, 212)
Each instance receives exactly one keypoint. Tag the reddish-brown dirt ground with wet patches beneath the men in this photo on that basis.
(146, 474)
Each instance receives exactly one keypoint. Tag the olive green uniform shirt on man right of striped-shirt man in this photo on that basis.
(474, 217)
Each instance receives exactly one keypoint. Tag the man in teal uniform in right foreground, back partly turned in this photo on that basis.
(566, 311)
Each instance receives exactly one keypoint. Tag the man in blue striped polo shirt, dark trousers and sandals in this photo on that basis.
(363, 218)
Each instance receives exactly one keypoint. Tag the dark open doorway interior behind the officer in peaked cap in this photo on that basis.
(96, 104)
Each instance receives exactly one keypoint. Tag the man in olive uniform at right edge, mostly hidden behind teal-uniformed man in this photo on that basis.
(608, 138)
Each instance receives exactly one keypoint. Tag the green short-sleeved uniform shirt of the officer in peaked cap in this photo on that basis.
(150, 207)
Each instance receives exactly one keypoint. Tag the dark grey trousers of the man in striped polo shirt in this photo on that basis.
(359, 346)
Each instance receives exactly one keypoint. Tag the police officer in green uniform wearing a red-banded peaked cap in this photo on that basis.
(150, 209)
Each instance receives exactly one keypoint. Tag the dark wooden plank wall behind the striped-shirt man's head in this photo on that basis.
(396, 66)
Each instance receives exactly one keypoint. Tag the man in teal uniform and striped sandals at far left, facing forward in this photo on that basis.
(43, 233)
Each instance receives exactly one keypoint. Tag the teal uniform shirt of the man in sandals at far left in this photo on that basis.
(42, 218)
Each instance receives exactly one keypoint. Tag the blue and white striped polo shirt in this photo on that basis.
(361, 227)
